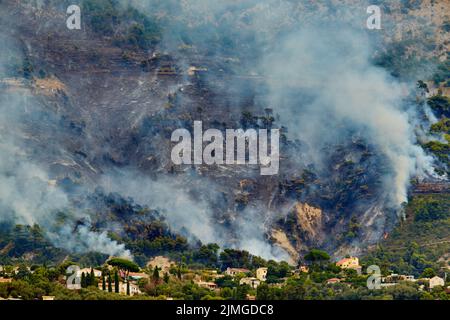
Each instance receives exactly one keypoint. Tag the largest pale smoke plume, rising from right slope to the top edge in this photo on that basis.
(321, 78)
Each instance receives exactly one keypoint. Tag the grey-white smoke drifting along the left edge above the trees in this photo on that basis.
(28, 195)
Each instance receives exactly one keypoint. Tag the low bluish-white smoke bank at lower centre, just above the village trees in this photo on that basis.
(188, 204)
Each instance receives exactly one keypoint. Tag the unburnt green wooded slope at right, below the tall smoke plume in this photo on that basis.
(421, 241)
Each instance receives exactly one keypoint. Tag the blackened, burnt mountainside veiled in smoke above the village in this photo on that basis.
(99, 105)
